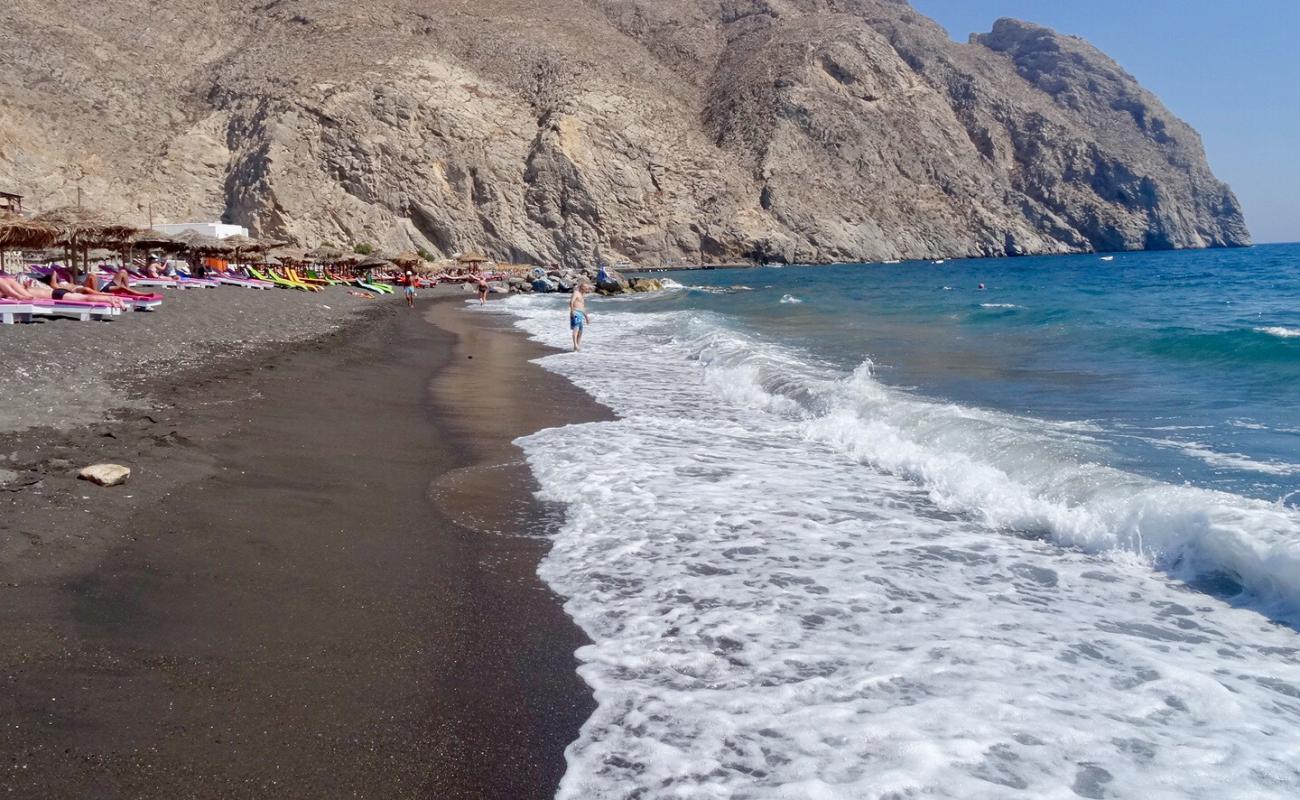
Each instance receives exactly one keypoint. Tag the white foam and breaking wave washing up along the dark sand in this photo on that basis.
(801, 583)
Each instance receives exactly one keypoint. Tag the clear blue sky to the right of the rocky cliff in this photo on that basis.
(1230, 70)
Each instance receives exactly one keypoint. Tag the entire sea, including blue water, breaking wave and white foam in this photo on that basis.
(872, 531)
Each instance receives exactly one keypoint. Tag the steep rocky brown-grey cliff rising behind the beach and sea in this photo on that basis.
(548, 131)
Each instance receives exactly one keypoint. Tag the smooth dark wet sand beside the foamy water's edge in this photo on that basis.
(320, 583)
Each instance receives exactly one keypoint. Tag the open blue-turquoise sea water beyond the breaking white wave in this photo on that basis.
(1185, 365)
